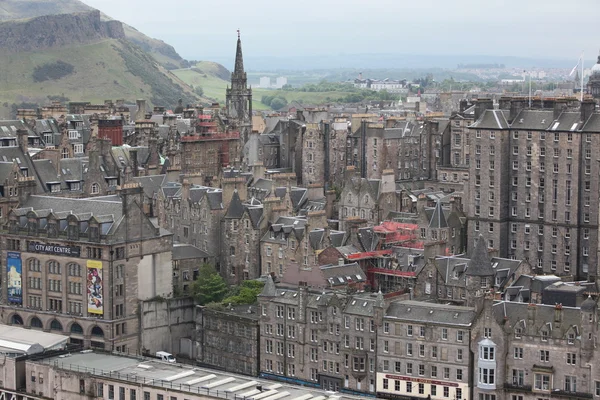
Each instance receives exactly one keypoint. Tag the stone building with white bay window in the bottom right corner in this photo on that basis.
(532, 351)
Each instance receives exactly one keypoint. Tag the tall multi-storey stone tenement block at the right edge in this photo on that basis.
(534, 189)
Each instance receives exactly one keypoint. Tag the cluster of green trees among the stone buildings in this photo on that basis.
(211, 288)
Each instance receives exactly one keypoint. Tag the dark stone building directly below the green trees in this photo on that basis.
(229, 338)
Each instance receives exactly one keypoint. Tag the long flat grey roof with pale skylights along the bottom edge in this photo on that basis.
(184, 377)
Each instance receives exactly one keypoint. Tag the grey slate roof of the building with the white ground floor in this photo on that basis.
(430, 313)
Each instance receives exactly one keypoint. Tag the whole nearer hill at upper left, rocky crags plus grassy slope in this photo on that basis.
(92, 62)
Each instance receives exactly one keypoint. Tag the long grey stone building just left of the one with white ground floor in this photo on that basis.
(328, 339)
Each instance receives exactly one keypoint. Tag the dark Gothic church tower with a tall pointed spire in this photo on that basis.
(238, 99)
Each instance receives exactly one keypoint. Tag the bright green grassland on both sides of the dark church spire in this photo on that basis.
(214, 87)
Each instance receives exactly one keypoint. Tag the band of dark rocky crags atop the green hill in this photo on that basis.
(50, 31)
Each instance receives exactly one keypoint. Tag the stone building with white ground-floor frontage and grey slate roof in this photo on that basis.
(424, 351)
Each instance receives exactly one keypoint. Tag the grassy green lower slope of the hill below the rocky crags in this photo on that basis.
(110, 69)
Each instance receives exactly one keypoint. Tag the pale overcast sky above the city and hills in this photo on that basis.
(205, 29)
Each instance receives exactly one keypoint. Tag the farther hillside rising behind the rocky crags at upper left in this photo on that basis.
(23, 9)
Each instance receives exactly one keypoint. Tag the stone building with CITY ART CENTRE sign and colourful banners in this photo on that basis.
(79, 267)
